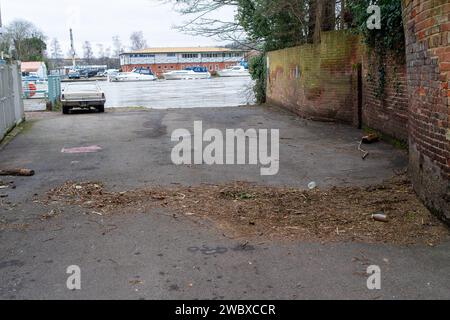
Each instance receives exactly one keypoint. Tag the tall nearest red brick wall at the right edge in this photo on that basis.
(427, 27)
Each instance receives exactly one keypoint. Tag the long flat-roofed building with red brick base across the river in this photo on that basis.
(161, 60)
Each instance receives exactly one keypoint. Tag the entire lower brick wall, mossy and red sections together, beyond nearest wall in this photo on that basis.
(326, 87)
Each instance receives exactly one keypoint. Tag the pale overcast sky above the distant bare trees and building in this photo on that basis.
(98, 21)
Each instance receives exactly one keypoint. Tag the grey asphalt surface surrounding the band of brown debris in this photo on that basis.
(152, 255)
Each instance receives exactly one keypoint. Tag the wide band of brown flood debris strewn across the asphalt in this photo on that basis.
(246, 210)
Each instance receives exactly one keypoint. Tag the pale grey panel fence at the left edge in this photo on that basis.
(11, 104)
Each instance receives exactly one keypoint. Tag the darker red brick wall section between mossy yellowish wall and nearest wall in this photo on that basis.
(386, 112)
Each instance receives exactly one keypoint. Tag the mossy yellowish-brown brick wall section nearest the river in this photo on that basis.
(316, 81)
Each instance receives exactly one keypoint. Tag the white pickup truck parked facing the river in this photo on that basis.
(82, 95)
